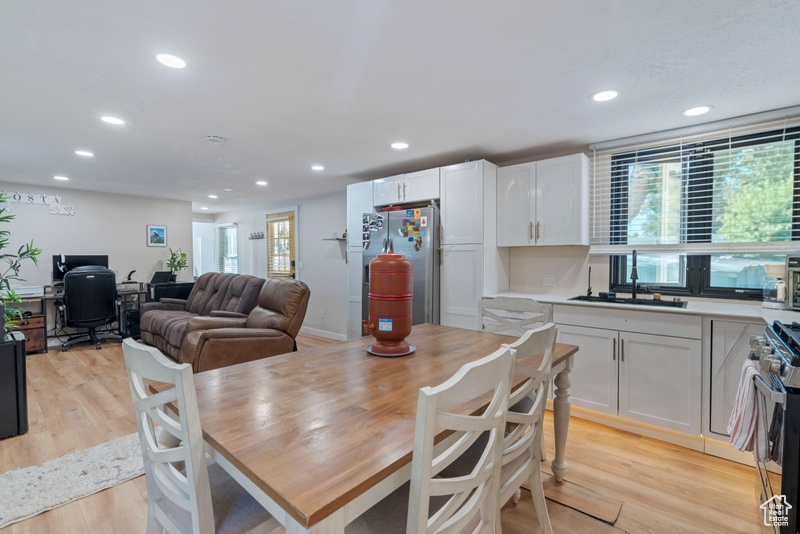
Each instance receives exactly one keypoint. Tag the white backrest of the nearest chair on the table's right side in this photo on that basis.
(470, 499)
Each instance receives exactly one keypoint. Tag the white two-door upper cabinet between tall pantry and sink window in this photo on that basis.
(544, 202)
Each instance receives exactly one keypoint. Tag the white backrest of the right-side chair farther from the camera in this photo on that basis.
(526, 405)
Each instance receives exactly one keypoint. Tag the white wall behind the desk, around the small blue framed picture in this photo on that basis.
(115, 225)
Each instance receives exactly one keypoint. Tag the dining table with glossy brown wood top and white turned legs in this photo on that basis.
(320, 435)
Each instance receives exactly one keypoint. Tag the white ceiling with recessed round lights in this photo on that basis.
(292, 83)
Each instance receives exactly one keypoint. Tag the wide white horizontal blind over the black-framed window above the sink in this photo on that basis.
(732, 190)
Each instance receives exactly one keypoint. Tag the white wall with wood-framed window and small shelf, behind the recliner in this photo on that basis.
(323, 262)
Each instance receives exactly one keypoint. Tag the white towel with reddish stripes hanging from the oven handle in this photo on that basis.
(748, 422)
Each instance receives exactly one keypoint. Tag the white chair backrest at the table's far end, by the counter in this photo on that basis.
(513, 316)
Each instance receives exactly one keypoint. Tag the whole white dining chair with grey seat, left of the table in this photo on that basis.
(184, 494)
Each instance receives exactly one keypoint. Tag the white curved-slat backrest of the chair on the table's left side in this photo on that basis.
(178, 490)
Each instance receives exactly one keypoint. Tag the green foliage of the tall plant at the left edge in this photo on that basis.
(10, 264)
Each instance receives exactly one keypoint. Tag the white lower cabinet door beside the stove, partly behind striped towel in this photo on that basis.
(730, 346)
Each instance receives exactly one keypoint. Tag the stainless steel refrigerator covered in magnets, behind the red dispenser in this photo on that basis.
(415, 234)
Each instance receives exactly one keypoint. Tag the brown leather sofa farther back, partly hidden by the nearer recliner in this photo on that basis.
(163, 323)
